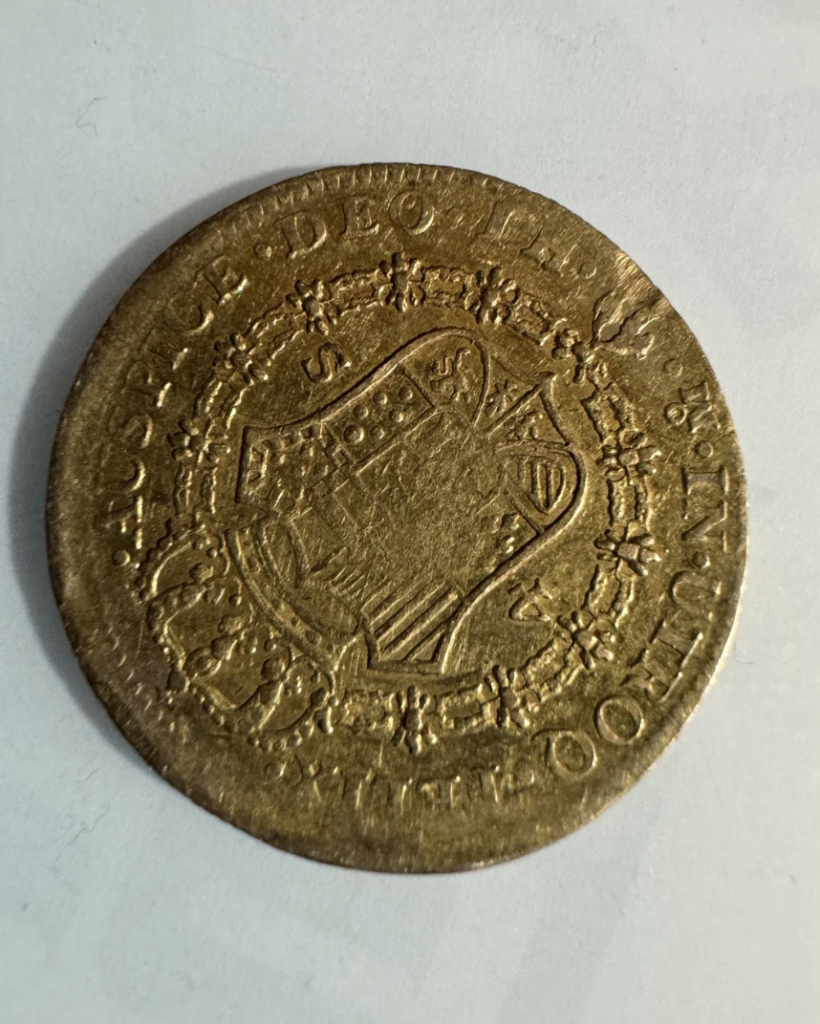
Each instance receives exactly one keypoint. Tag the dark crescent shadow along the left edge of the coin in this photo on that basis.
(38, 423)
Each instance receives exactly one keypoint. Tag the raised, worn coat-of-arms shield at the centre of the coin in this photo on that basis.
(393, 511)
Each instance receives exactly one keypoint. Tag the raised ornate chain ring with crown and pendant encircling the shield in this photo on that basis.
(414, 717)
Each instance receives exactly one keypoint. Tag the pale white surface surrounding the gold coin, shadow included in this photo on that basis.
(689, 133)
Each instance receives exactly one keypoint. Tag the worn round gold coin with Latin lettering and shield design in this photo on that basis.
(398, 519)
